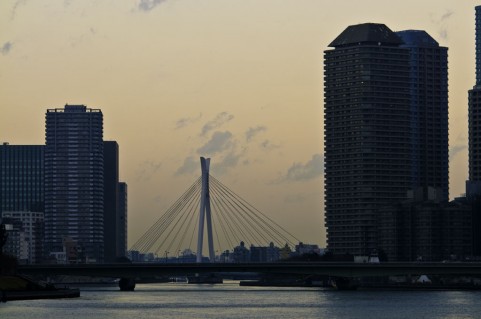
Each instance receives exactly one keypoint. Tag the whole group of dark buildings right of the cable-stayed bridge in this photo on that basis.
(386, 148)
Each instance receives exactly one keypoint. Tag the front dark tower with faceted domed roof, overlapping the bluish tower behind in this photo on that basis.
(366, 133)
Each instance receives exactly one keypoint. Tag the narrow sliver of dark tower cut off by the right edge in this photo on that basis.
(473, 186)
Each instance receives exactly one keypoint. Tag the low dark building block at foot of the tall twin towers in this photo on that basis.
(422, 229)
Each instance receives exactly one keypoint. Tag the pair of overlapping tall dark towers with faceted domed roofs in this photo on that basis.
(385, 128)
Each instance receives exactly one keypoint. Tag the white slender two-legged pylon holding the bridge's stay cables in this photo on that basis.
(205, 213)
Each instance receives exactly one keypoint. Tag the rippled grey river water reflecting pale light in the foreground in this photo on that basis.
(231, 301)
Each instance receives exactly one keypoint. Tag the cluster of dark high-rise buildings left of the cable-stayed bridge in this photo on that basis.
(64, 199)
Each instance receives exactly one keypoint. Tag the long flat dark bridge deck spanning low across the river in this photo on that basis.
(145, 270)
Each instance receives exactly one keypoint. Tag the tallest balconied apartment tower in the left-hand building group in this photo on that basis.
(74, 181)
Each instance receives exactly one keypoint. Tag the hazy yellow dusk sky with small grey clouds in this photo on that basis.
(239, 81)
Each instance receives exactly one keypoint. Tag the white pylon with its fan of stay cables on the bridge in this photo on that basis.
(209, 206)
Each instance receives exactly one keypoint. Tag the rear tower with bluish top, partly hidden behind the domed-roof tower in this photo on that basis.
(428, 90)
